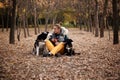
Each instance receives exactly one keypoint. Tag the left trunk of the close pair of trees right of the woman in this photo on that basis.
(96, 19)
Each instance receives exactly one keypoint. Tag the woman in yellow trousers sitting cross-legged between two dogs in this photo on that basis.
(55, 41)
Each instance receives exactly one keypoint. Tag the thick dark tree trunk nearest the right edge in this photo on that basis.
(115, 23)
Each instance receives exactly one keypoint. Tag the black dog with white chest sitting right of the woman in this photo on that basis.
(69, 47)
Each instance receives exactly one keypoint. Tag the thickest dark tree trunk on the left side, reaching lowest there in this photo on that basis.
(12, 29)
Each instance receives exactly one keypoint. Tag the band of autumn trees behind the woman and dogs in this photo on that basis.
(93, 15)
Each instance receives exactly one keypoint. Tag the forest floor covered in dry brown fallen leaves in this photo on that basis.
(95, 59)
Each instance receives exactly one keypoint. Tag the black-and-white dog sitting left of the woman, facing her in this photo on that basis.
(39, 43)
